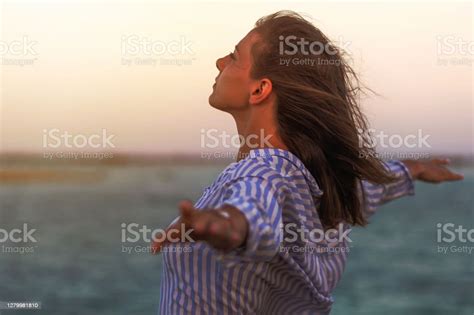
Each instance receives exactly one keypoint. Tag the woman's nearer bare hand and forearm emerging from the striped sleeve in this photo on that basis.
(224, 228)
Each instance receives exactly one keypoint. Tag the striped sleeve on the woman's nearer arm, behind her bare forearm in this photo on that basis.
(260, 199)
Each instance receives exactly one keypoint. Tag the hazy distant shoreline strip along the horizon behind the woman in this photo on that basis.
(90, 167)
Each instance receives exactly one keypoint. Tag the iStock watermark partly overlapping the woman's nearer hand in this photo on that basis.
(141, 237)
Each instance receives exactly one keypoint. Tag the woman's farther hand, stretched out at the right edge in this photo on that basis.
(432, 171)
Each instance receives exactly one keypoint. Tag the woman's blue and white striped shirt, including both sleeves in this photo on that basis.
(287, 265)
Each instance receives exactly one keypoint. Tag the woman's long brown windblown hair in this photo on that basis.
(318, 114)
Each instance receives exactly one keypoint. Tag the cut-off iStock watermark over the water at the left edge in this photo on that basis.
(10, 240)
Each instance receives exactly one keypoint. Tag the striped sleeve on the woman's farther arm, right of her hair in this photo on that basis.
(375, 195)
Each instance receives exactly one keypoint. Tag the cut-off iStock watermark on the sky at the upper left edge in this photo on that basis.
(18, 52)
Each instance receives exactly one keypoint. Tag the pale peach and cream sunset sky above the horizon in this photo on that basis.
(75, 67)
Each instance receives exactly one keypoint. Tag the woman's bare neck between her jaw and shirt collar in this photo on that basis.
(258, 132)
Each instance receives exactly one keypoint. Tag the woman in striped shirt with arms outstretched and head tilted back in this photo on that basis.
(271, 232)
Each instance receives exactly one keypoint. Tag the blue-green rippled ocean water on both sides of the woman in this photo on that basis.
(78, 264)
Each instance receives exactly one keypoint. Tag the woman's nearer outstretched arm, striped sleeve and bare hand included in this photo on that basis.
(242, 228)
